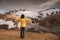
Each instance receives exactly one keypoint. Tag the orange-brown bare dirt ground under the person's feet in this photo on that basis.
(15, 35)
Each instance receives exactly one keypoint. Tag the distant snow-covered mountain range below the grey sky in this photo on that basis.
(32, 14)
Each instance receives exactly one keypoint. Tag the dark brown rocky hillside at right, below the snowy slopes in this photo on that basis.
(51, 23)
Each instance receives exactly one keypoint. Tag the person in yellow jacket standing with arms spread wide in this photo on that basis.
(23, 20)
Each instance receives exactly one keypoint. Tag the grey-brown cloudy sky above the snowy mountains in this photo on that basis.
(28, 4)
